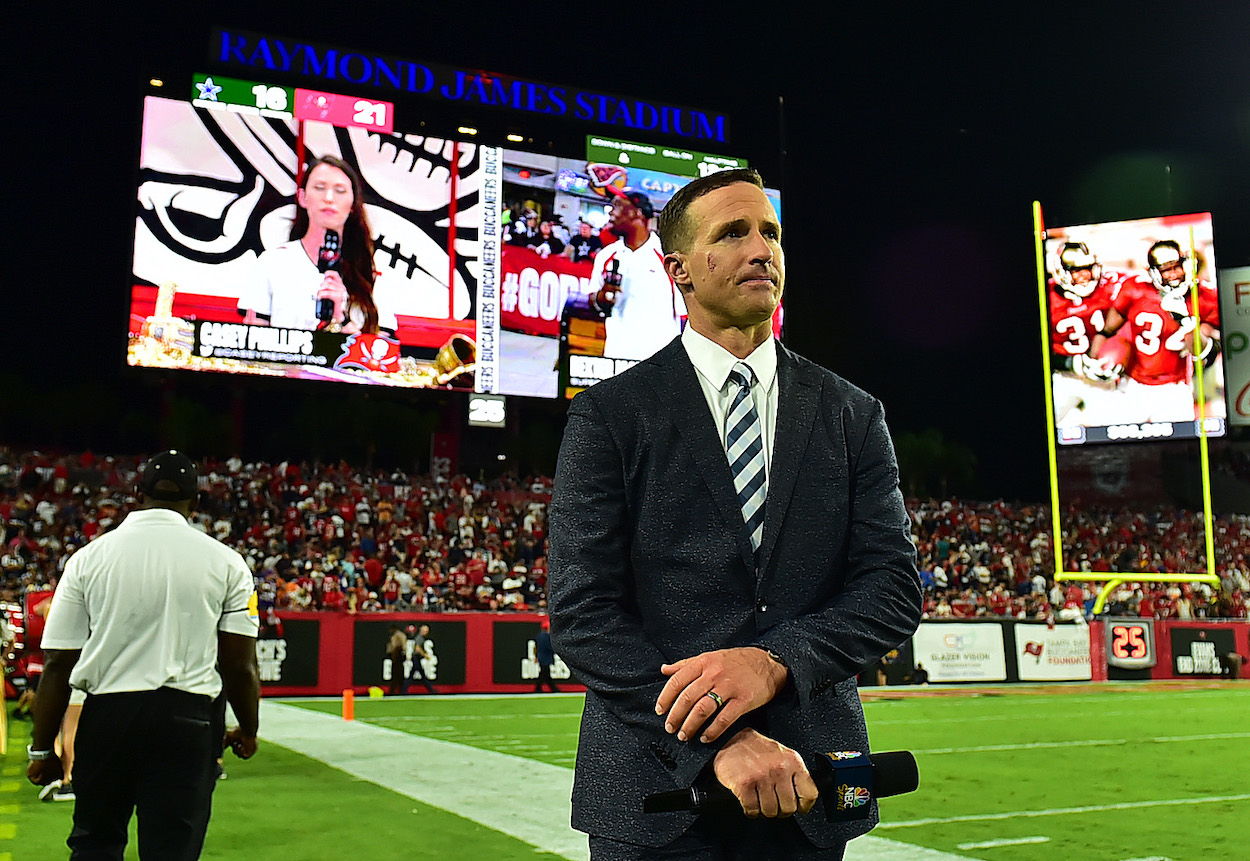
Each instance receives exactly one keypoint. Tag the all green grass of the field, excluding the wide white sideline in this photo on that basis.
(982, 754)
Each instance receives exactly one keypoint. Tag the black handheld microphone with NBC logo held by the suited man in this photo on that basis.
(848, 782)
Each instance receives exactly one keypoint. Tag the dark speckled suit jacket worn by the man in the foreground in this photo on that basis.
(651, 563)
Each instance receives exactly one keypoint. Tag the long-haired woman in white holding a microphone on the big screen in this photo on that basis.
(308, 283)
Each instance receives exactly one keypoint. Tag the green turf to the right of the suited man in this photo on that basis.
(1083, 747)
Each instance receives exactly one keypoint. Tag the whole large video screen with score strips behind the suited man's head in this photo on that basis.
(314, 237)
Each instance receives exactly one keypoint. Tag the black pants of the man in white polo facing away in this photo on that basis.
(151, 752)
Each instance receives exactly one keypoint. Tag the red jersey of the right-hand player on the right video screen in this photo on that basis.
(1161, 342)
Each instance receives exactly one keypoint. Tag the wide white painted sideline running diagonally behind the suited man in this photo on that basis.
(518, 797)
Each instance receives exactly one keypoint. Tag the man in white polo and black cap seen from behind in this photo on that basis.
(141, 623)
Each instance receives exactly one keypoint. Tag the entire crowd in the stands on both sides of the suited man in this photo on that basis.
(332, 538)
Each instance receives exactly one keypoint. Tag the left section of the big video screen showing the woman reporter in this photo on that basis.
(368, 274)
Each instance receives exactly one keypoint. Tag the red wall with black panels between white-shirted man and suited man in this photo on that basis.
(326, 654)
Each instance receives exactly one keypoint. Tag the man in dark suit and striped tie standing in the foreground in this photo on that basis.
(718, 637)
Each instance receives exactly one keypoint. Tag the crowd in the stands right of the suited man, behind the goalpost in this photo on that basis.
(996, 559)
